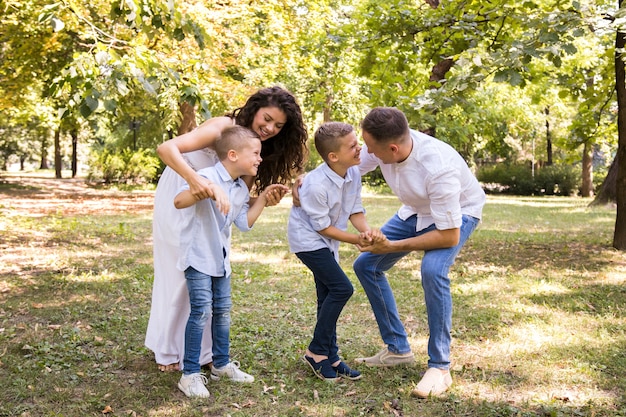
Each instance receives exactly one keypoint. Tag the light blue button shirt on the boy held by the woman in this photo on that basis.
(205, 235)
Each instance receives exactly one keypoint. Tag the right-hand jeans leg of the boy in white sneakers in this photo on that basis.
(220, 328)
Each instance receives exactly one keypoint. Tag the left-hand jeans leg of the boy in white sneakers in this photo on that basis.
(199, 287)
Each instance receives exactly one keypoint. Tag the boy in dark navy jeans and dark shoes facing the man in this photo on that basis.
(329, 197)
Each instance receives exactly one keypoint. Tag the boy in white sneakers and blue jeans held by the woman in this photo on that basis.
(205, 250)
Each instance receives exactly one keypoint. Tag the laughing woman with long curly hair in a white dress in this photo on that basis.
(276, 117)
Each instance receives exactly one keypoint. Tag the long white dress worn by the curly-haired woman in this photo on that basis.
(169, 311)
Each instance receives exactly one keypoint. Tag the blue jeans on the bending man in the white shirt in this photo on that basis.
(370, 269)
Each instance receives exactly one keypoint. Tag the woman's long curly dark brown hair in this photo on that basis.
(283, 155)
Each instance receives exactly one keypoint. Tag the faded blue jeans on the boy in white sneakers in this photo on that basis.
(209, 297)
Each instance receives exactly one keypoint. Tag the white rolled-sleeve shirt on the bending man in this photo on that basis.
(434, 182)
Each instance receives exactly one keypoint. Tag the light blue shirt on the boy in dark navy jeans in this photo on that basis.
(326, 199)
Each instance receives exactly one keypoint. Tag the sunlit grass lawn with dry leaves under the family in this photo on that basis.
(539, 316)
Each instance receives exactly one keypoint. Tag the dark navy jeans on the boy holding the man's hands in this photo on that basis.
(334, 289)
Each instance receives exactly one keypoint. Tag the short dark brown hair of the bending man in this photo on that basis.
(386, 124)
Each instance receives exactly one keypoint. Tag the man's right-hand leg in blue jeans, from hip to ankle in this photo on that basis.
(436, 283)
